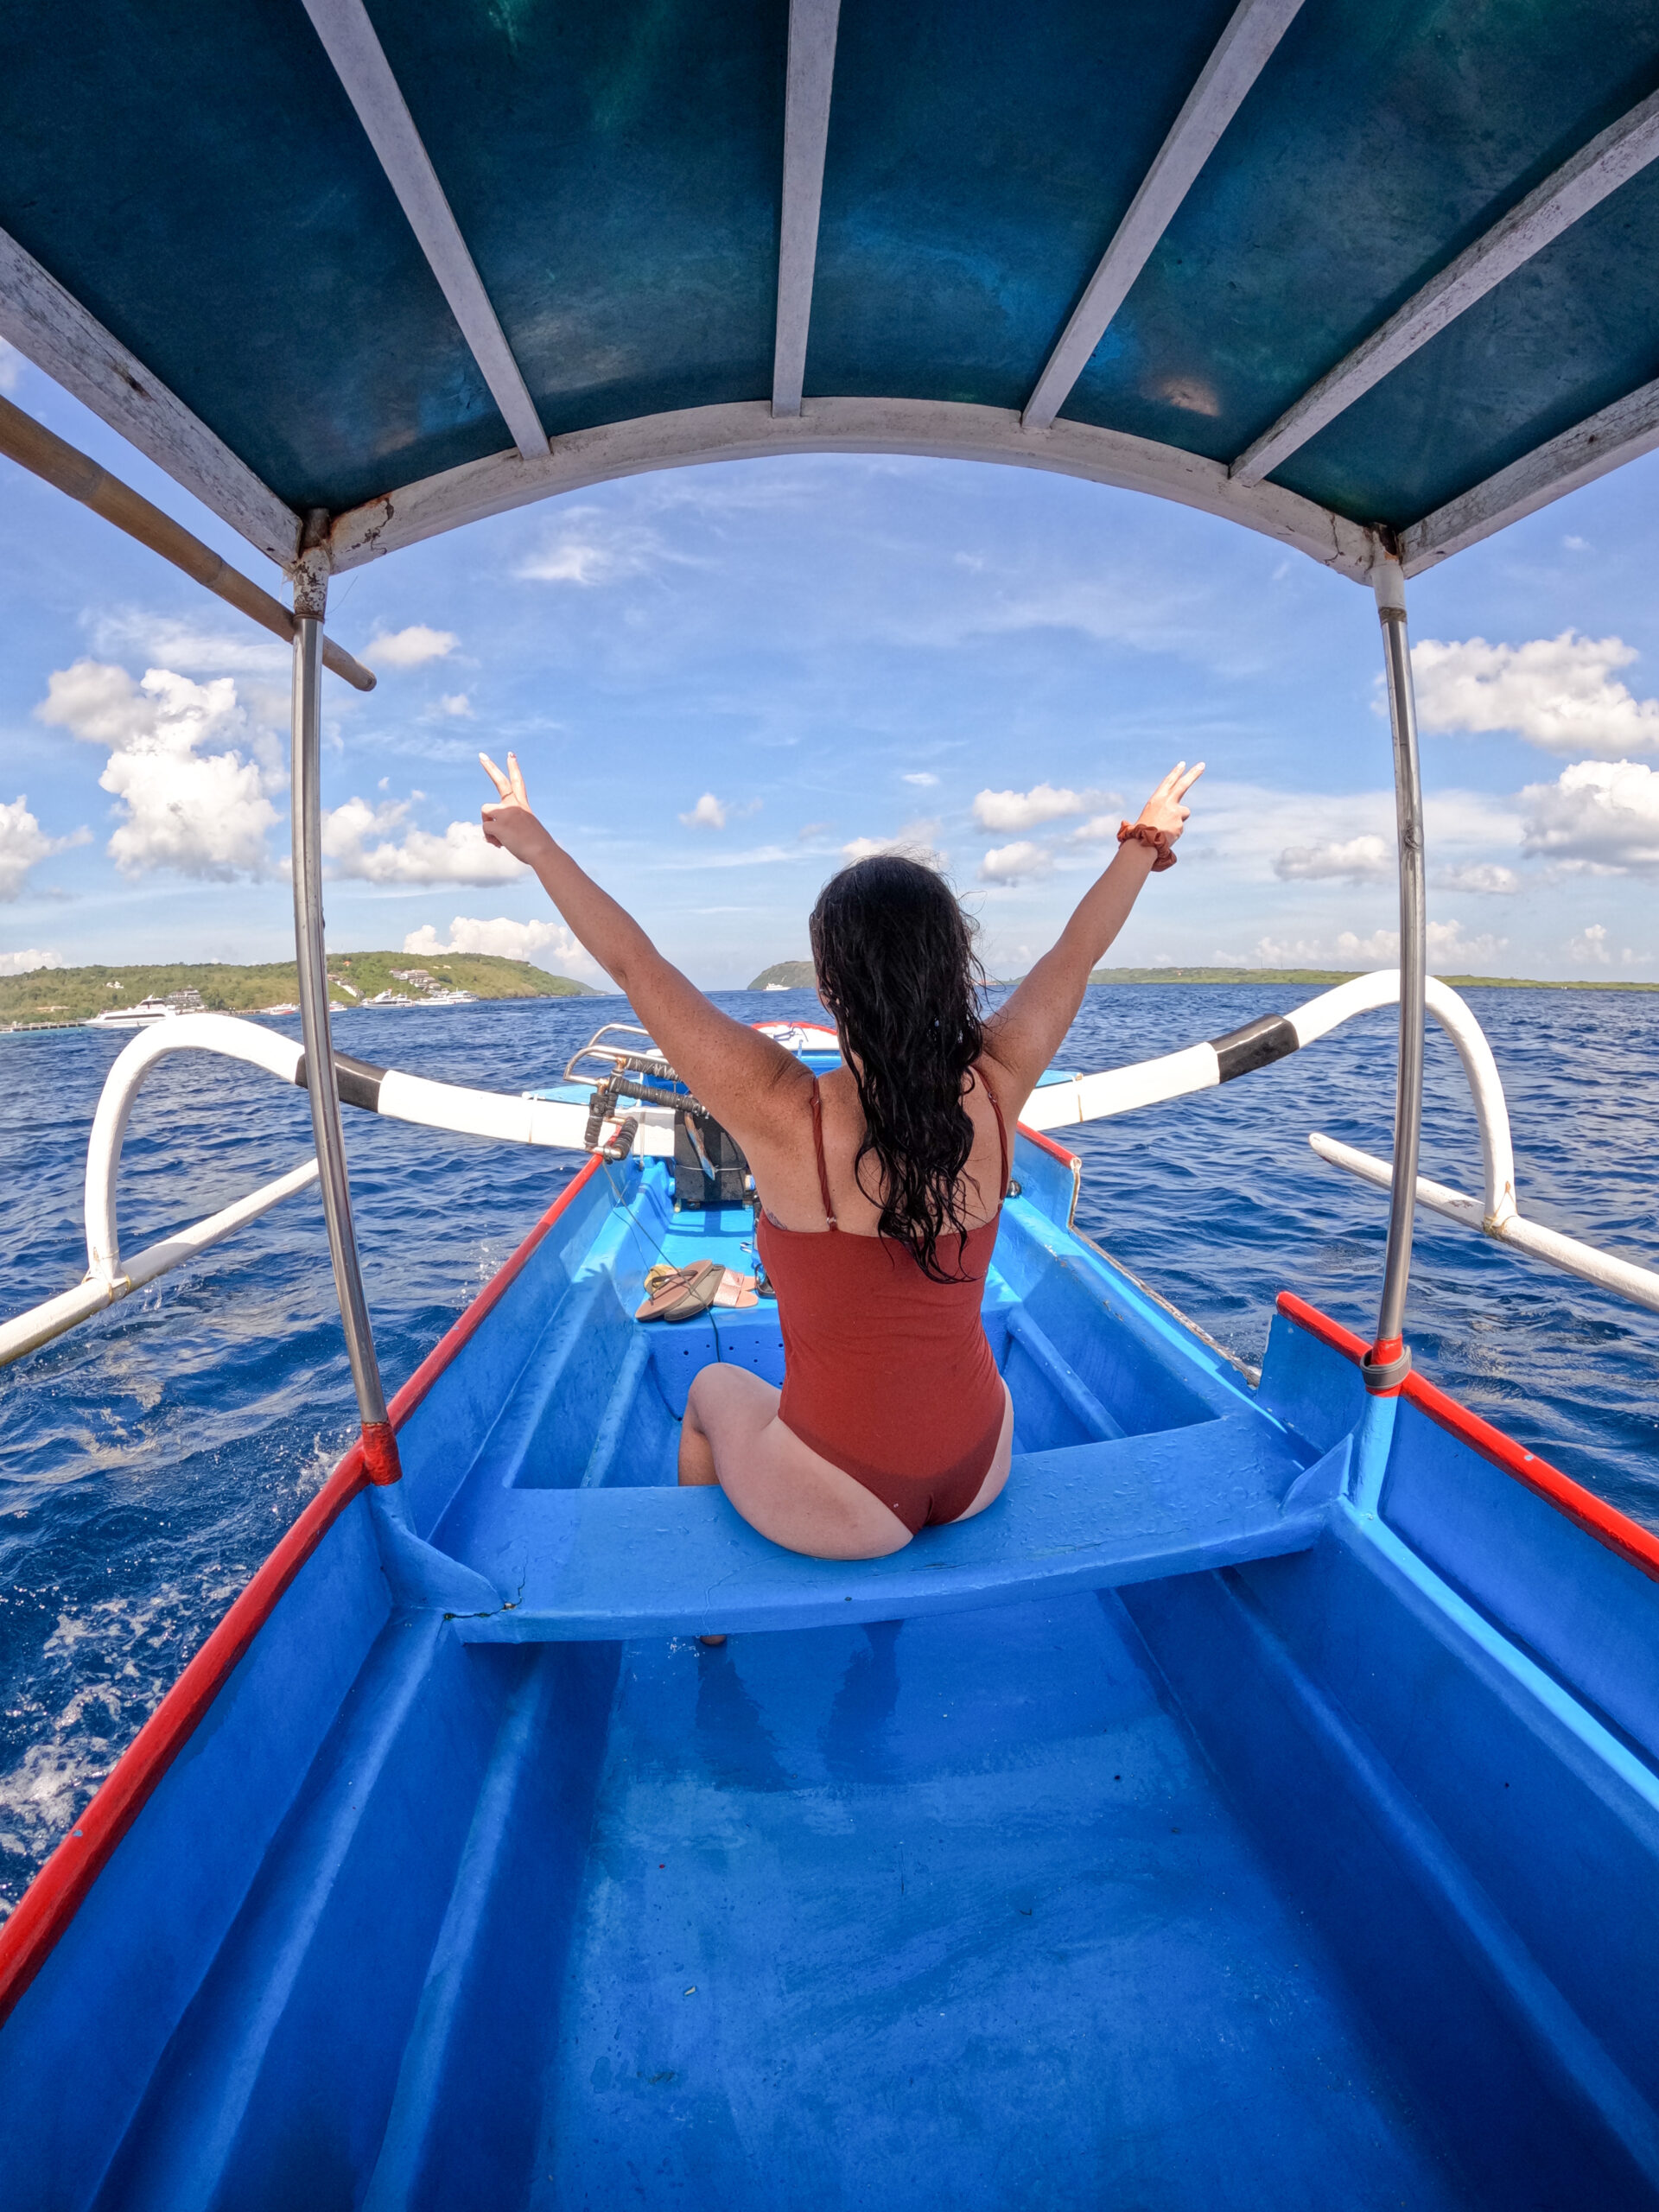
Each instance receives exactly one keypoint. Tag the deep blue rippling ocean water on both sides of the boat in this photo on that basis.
(154, 1457)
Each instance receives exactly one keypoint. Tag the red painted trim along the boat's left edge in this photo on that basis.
(56, 1892)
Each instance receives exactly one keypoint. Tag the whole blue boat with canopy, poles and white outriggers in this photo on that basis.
(1260, 1806)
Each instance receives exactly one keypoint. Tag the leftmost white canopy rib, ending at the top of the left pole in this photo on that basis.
(54, 331)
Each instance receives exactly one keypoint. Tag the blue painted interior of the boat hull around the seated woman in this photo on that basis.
(1308, 1872)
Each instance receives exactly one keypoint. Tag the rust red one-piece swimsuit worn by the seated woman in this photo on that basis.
(886, 1373)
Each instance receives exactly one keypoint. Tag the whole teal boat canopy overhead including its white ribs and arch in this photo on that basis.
(1328, 269)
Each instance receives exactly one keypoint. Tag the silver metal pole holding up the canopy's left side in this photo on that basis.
(311, 598)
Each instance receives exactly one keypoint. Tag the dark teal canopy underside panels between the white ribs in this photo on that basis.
(196, 176)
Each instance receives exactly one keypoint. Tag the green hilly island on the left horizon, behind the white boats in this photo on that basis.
(56, 999)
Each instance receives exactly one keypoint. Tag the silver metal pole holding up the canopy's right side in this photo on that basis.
(1388, 1361)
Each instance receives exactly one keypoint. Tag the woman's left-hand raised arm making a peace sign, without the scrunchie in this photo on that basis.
(729, 1067)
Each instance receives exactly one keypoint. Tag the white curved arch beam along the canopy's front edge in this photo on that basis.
(747, 430)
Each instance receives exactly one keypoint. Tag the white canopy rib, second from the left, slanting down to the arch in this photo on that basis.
(362, 65)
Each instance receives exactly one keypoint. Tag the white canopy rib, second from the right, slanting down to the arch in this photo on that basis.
(1532, 225)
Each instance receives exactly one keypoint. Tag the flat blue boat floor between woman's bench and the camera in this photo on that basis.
(948, 1914)
